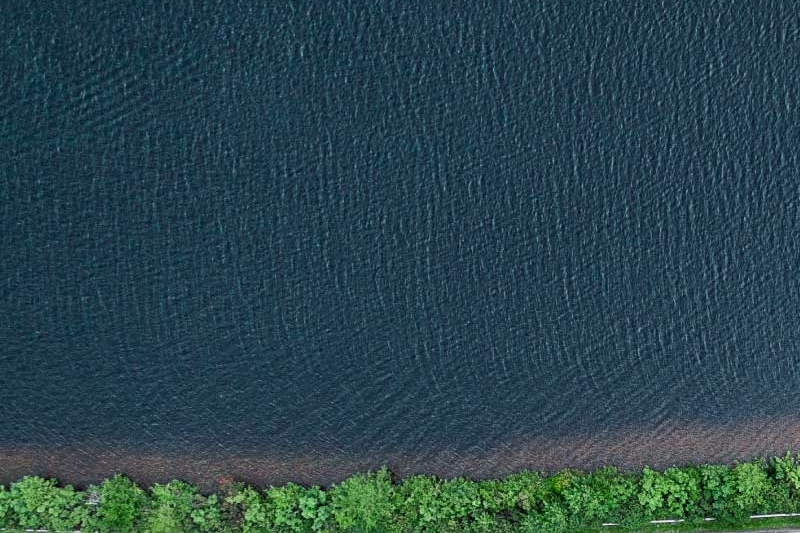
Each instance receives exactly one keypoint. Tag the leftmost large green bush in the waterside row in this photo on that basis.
(36, 503)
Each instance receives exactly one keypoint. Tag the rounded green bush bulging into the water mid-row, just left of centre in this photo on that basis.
(364, 502)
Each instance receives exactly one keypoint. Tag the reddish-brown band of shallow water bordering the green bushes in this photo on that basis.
(629, 449)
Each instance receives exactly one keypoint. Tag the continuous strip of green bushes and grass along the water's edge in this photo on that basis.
(565, 502)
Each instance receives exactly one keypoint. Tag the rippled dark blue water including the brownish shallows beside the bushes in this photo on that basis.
(284, 242)
